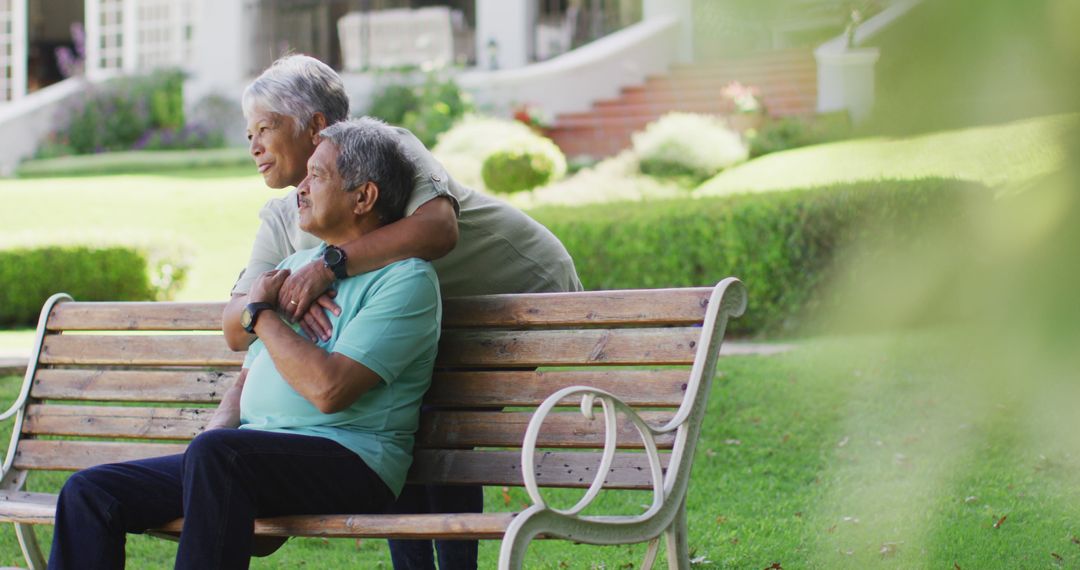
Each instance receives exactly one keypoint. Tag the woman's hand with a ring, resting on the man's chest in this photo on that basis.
(306, 296)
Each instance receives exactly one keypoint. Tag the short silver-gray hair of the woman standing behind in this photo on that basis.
(299, 87)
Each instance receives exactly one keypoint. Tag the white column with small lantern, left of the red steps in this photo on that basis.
(504, 33)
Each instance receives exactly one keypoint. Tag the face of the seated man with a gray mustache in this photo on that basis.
(325, 206)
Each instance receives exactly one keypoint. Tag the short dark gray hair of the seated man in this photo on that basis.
(369, 152)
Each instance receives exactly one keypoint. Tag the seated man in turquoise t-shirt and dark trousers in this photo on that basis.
(326, 428)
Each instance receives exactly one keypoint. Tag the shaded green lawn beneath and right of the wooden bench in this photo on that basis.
(847, 453)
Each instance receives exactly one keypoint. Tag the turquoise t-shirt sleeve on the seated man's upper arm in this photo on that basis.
(398, 325)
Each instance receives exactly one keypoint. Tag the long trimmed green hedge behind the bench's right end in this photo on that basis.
(785, 246)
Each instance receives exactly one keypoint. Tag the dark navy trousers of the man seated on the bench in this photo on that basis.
(224, 481)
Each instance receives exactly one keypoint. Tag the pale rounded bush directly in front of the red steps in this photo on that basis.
(698, 146)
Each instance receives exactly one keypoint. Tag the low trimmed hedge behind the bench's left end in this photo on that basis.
(31, 275)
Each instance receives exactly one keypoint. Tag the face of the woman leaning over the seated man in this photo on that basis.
(280, 153)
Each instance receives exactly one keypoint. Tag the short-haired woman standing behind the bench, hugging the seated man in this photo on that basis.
(478, 246)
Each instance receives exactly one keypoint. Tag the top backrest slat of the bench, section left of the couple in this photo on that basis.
(75, 316)
